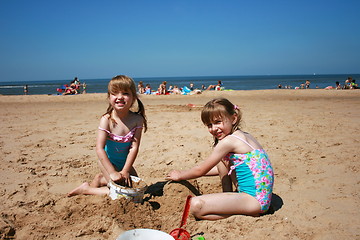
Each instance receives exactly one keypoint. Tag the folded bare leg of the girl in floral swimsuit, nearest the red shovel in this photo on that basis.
(222, 205)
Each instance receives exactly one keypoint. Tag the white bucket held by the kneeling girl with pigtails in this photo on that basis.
(134, 194)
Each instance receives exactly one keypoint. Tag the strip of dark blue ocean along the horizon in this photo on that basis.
(251, 82)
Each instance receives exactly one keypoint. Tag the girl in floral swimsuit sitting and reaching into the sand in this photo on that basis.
(239, 159)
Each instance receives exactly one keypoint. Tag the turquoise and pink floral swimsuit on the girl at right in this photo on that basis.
(254, 174)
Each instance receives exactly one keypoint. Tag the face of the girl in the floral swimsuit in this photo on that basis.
(221, 126)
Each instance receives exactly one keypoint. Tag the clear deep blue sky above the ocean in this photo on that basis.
(55, 40)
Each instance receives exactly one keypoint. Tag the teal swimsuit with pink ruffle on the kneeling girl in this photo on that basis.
(117, 147)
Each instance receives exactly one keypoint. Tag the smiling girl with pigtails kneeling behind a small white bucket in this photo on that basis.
(118, 138)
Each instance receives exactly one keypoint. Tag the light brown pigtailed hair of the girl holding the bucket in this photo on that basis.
(125, 83)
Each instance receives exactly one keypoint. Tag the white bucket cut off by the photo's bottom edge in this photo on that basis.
(144, 234)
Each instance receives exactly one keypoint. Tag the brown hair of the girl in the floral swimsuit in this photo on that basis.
(220, 108)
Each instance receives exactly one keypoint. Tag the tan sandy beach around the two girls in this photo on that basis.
(47, 148)
